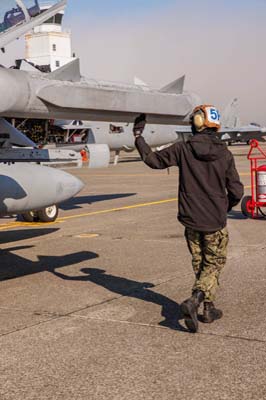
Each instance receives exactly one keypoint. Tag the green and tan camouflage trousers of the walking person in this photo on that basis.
(209, 251)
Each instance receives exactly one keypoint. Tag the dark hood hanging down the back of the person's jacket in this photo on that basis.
(207, 147)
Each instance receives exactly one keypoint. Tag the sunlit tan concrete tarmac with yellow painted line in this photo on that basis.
(89, 305)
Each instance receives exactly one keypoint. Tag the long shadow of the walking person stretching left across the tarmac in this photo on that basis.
(126, 287)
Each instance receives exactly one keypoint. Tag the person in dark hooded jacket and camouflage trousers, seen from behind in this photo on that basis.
(209, 187)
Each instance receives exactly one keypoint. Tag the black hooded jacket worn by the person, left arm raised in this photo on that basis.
(209, 184)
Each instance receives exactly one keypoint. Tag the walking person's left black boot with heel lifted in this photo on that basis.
(190, 310)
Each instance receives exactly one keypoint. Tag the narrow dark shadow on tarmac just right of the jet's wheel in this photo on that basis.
(77, 202)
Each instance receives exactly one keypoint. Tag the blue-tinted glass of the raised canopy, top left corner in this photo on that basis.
(14, 12)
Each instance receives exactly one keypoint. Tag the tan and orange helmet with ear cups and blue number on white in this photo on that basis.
(204, 117)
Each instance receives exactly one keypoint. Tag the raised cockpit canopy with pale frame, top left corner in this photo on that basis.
(24, 20)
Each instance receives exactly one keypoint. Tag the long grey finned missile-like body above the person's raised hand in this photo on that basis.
(63, 94)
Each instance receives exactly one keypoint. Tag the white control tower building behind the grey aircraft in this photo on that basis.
(49, 44)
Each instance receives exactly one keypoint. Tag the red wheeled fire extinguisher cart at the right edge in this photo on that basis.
(251, 206)
